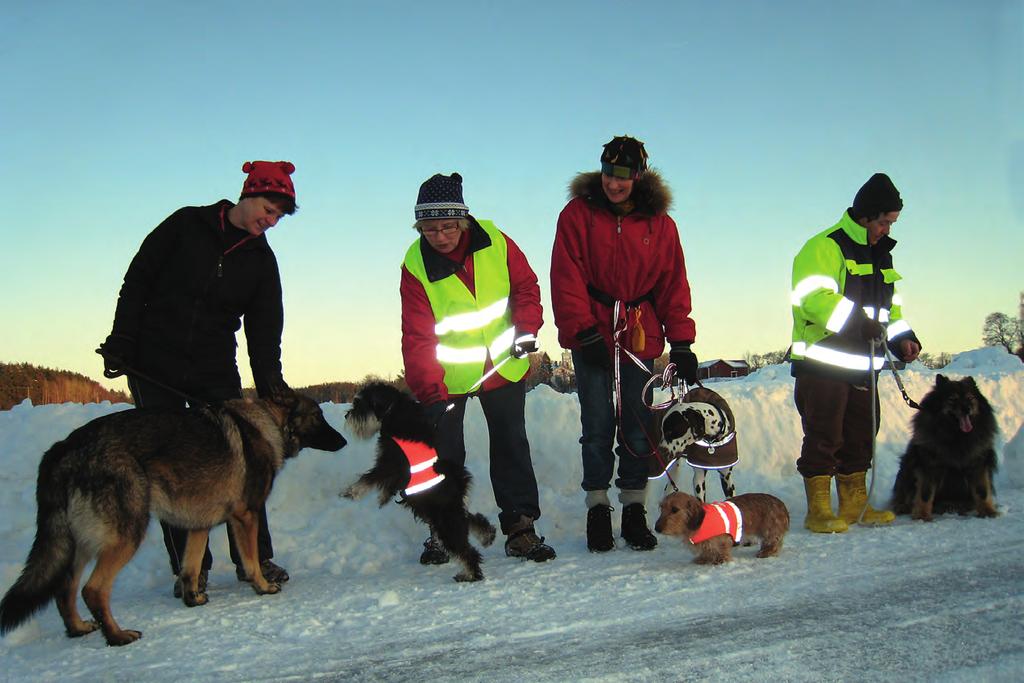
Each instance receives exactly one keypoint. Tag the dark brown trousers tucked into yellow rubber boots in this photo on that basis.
(837, 421)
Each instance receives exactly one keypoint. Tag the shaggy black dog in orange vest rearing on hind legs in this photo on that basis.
(434, 490)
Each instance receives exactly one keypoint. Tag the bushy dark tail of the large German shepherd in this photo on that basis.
(49, 568)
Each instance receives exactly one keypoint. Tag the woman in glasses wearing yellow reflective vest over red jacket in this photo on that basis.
(471, 314)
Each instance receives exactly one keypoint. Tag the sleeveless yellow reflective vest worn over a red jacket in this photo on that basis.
(473, 327)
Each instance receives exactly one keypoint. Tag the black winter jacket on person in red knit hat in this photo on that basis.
(185, 296)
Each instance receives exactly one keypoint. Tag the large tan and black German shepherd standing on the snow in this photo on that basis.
(192, 468)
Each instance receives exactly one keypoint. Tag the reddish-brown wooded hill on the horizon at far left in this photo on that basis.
(46, 386)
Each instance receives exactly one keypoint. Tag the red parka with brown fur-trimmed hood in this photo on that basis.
(627, 259)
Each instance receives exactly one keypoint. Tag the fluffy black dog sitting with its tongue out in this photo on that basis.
(951, 460)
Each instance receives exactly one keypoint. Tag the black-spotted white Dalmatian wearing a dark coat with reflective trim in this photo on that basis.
(701, 431)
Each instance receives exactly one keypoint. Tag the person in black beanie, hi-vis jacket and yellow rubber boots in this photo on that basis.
(844, 297)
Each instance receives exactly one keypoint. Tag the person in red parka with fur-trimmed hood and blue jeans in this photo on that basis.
(617, 251)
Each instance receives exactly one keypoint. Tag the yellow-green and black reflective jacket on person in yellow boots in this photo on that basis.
(838, 280)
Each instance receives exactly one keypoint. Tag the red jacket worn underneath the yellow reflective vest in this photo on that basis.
(419, 344)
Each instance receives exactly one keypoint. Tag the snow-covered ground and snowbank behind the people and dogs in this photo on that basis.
(917, 602)
